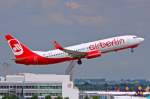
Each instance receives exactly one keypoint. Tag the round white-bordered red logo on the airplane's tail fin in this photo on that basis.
(16, 47)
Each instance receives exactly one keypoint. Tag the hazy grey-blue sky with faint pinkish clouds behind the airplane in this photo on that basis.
(37, 23)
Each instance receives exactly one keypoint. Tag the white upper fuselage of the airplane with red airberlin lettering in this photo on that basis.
(105, 45)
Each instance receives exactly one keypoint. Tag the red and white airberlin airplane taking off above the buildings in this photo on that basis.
(26, 56)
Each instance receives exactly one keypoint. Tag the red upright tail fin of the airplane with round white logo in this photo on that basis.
(18, 49)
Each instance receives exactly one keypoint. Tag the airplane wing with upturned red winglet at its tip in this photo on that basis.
(72, 53)
